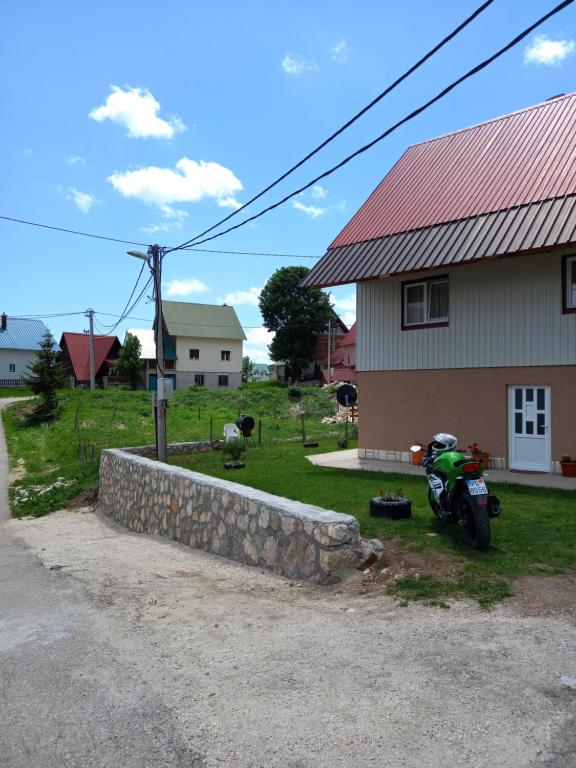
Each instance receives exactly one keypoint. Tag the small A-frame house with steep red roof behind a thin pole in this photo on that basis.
(76, 356)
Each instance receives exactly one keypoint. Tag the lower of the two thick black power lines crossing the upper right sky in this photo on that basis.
(390, 130)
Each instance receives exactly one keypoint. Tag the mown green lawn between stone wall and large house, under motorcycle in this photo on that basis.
(536, 533)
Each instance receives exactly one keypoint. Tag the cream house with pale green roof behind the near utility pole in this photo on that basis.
(207, 344)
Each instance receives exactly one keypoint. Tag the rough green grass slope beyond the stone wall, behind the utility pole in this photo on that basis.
(116, 418)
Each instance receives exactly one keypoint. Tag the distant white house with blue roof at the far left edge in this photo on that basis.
(20, 339)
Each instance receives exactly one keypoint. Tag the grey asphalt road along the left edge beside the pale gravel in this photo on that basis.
(68, 697)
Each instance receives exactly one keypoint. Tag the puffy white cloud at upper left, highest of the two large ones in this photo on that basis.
(136, 109)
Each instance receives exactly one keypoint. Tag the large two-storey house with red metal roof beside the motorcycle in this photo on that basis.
(464, 258)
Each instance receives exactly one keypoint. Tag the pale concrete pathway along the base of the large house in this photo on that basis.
(349, 460)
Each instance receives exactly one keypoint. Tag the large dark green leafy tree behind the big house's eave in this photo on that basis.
(298, 316)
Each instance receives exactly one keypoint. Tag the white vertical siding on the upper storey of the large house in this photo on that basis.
(506, 312)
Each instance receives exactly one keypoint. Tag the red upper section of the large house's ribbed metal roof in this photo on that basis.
(519, 158)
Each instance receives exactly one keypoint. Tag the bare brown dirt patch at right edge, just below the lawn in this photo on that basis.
(544, 596)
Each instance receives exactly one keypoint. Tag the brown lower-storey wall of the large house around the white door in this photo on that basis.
(400, 408)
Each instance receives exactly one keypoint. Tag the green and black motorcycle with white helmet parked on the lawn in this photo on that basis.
(457, 491)
